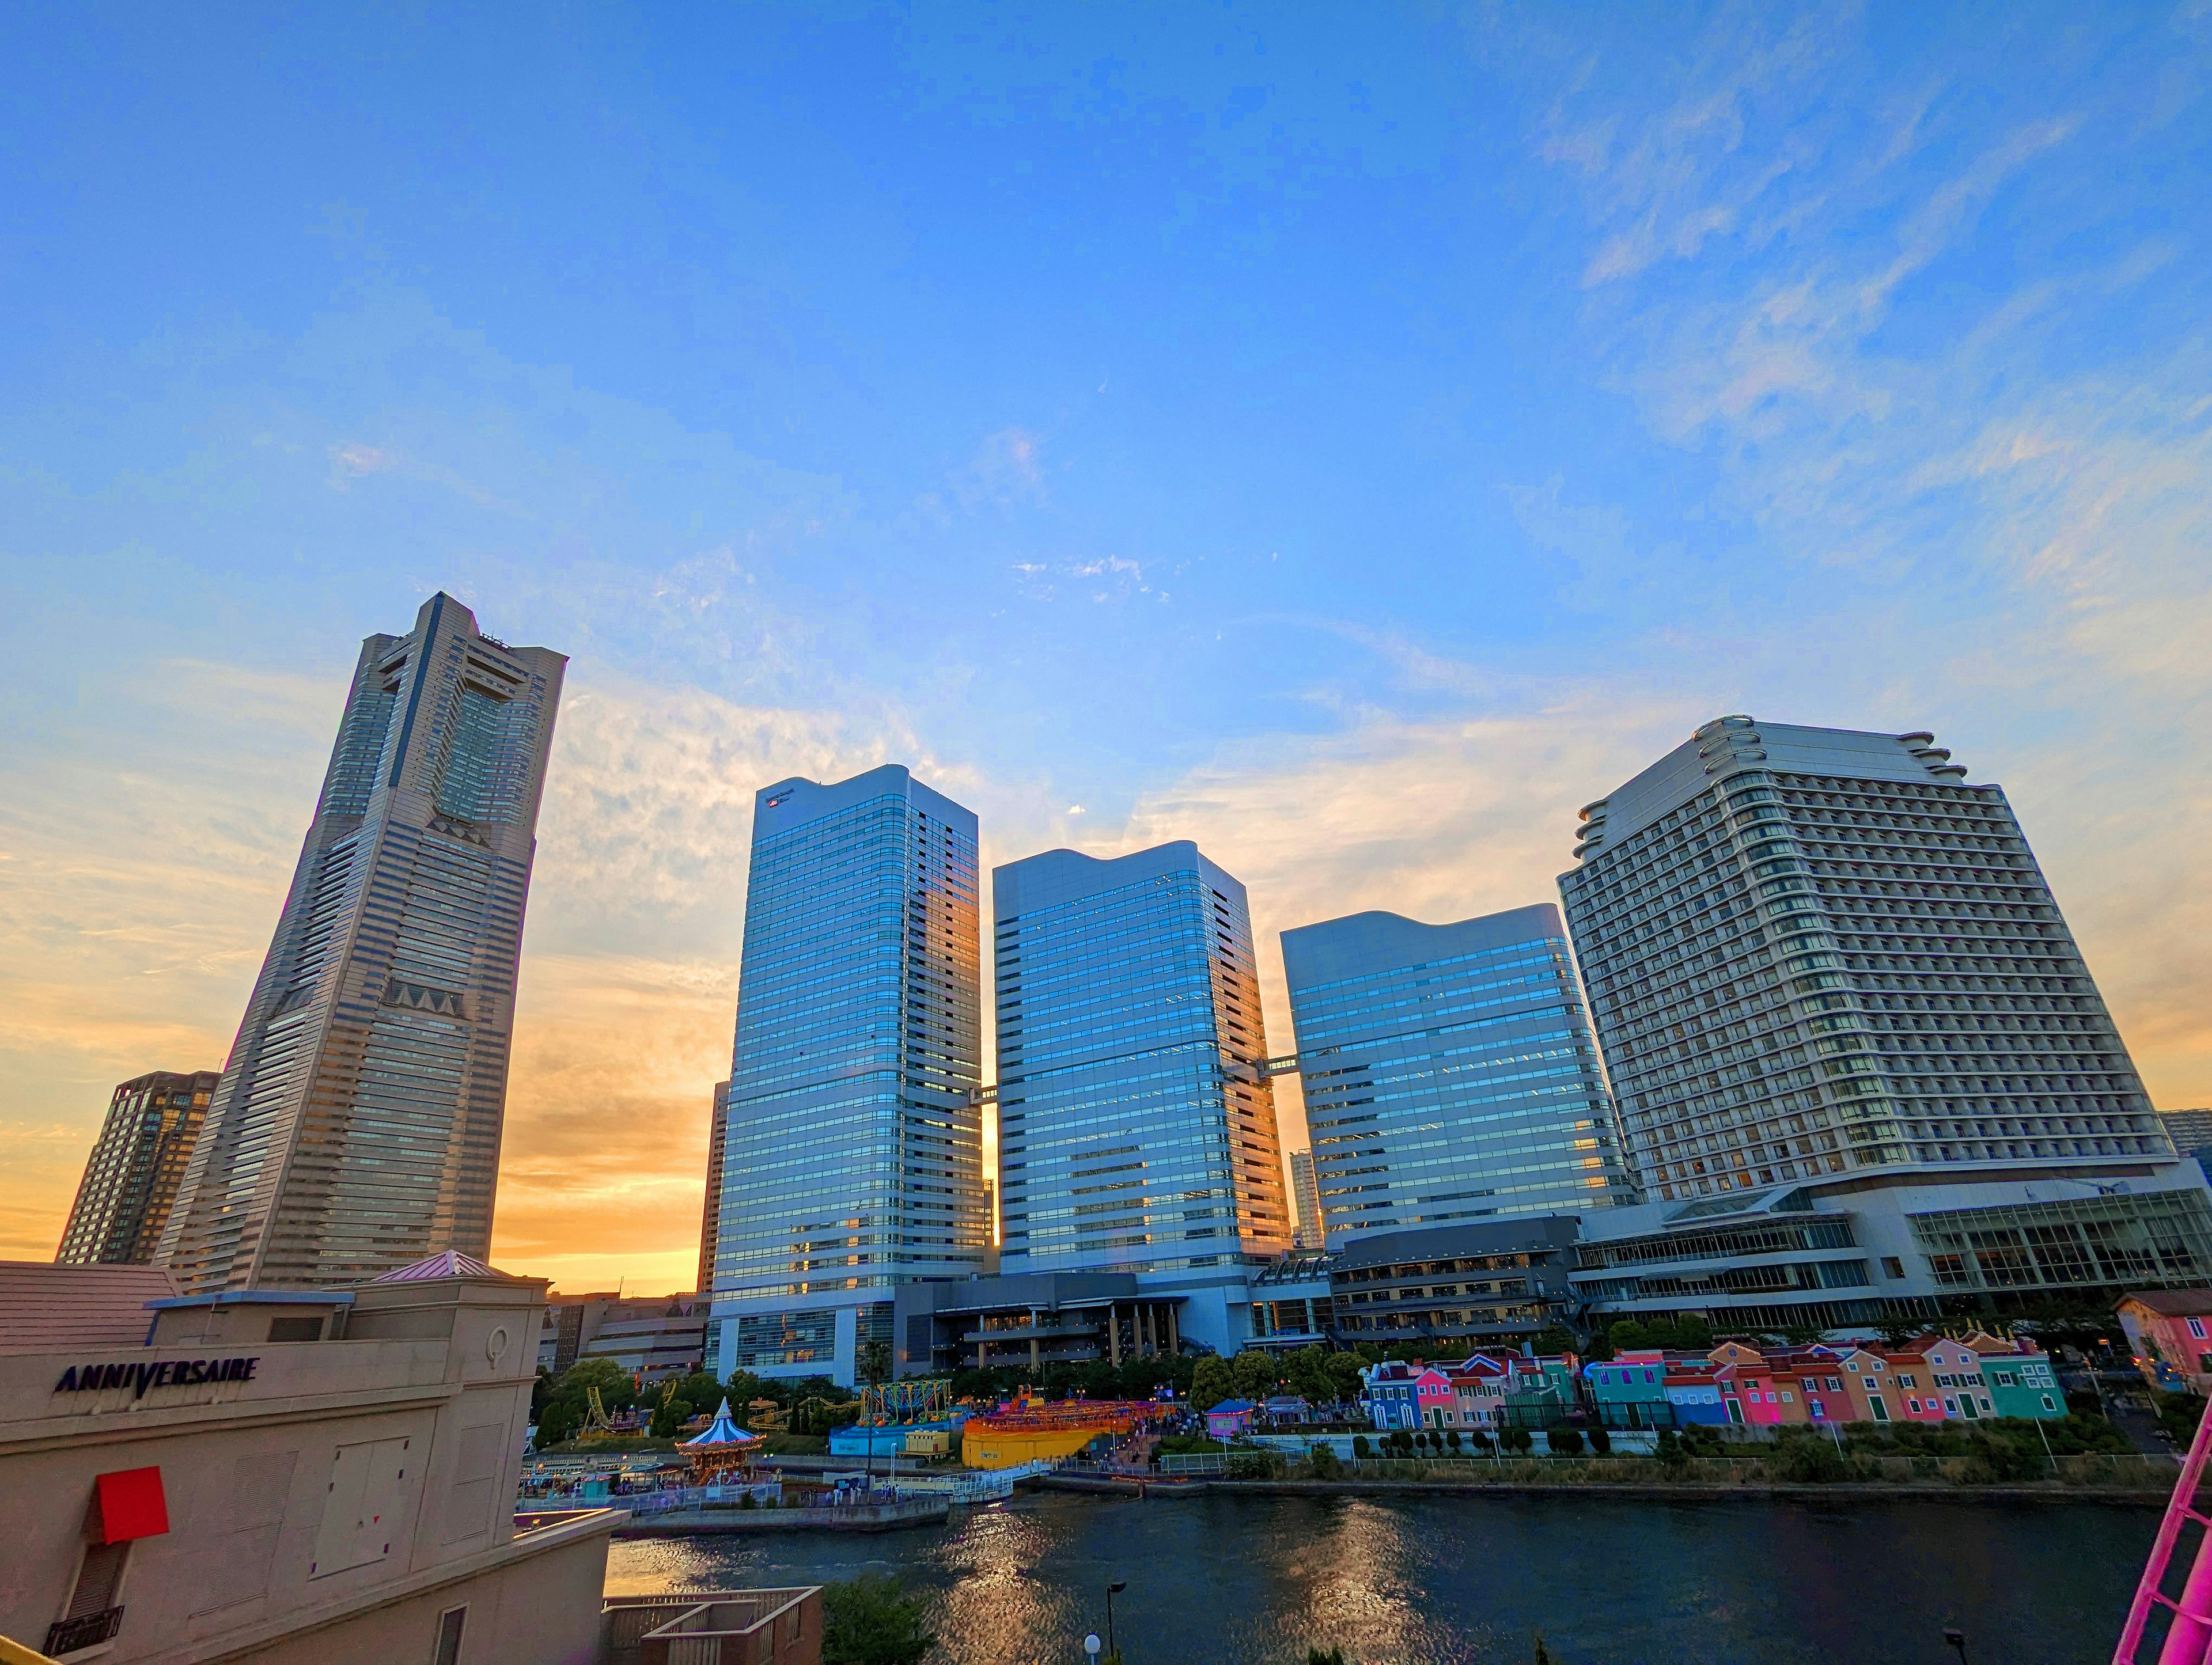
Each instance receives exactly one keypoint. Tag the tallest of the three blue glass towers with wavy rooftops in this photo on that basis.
(853, 1142)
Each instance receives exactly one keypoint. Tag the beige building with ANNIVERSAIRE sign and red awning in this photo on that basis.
(289, 1478)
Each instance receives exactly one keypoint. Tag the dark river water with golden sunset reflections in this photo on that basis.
(1459, 1580)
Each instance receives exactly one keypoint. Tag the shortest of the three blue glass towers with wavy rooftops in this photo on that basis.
(1450, 1071)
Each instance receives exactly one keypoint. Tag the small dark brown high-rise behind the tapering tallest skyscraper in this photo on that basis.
(136, 1166)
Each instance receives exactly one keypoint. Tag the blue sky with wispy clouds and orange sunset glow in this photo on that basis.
(1353, 441)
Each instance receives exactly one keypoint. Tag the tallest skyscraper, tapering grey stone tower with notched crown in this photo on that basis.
(359, 1118)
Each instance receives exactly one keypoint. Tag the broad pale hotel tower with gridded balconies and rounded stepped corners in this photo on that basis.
(1830, 978)
